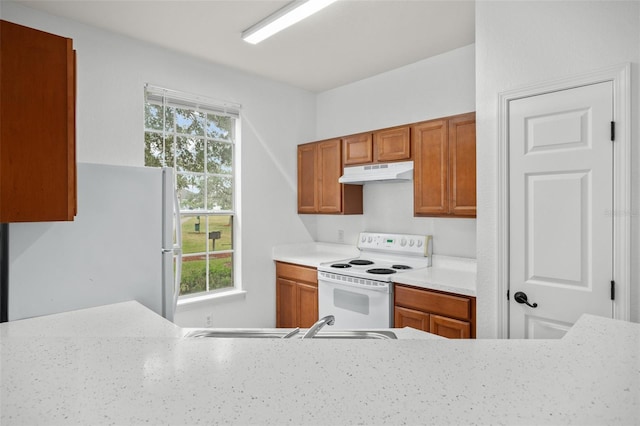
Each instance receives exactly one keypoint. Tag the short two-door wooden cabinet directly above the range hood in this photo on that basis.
(393, 144)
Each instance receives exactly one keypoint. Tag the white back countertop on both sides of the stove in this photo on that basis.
(451, 274)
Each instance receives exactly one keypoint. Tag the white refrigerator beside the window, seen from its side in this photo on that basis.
(122, 245)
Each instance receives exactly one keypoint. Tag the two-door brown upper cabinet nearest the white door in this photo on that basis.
(445, 166)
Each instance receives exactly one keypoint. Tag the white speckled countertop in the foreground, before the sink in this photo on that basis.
(127, 366)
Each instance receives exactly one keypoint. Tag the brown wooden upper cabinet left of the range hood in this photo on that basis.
(319, 168)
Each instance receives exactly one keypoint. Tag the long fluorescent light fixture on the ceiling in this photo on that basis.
(294, 12)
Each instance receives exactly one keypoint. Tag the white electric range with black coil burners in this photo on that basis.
(358, 292)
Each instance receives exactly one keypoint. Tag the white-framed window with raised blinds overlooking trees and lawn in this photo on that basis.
(198, 137)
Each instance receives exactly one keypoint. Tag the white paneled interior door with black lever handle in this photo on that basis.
(561, 199)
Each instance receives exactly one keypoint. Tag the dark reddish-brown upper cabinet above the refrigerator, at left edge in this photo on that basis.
(37, 135)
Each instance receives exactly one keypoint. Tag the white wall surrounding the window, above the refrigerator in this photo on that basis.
(112, 71)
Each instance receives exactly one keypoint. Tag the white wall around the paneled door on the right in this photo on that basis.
(520, 43)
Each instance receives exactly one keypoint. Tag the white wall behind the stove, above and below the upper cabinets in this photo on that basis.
(435, 87)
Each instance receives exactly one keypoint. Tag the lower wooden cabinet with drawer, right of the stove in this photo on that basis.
(445, 314)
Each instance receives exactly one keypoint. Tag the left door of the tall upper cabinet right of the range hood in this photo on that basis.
(431, 168)
